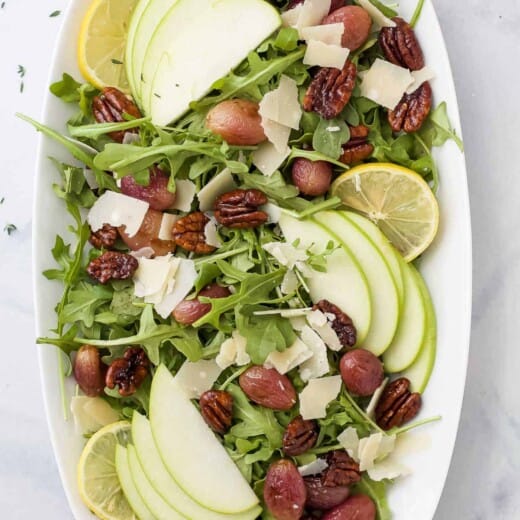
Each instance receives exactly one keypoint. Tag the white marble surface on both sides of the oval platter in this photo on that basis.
(483, 39)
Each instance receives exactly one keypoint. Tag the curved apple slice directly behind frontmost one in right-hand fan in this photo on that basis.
(383, 291)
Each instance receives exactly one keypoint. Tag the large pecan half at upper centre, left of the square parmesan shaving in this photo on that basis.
(330, 90)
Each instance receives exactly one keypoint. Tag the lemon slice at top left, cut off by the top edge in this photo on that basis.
(102, 42)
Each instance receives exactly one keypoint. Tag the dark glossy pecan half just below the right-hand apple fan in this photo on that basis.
(397, 405)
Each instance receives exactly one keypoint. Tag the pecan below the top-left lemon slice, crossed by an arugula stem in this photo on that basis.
(110, 106)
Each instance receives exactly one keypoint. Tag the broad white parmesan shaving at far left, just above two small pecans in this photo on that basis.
(117, 210)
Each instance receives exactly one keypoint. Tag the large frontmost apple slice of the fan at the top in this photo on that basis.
(202, 42)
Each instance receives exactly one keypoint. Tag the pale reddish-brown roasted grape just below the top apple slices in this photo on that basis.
(237, 121)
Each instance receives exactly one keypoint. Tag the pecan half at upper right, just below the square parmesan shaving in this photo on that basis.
(413, 109)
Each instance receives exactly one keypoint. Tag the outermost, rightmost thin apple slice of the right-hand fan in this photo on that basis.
(420, 371)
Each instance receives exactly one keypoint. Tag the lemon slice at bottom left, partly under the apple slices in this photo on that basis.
(98, 482)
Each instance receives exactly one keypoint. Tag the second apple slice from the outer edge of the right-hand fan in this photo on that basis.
(411, 332)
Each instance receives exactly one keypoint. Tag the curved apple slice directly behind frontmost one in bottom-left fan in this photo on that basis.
(165, 484)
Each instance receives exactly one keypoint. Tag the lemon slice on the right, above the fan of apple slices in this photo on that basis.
(397, 199)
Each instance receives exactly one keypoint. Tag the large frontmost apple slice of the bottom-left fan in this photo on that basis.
(191, 453)
